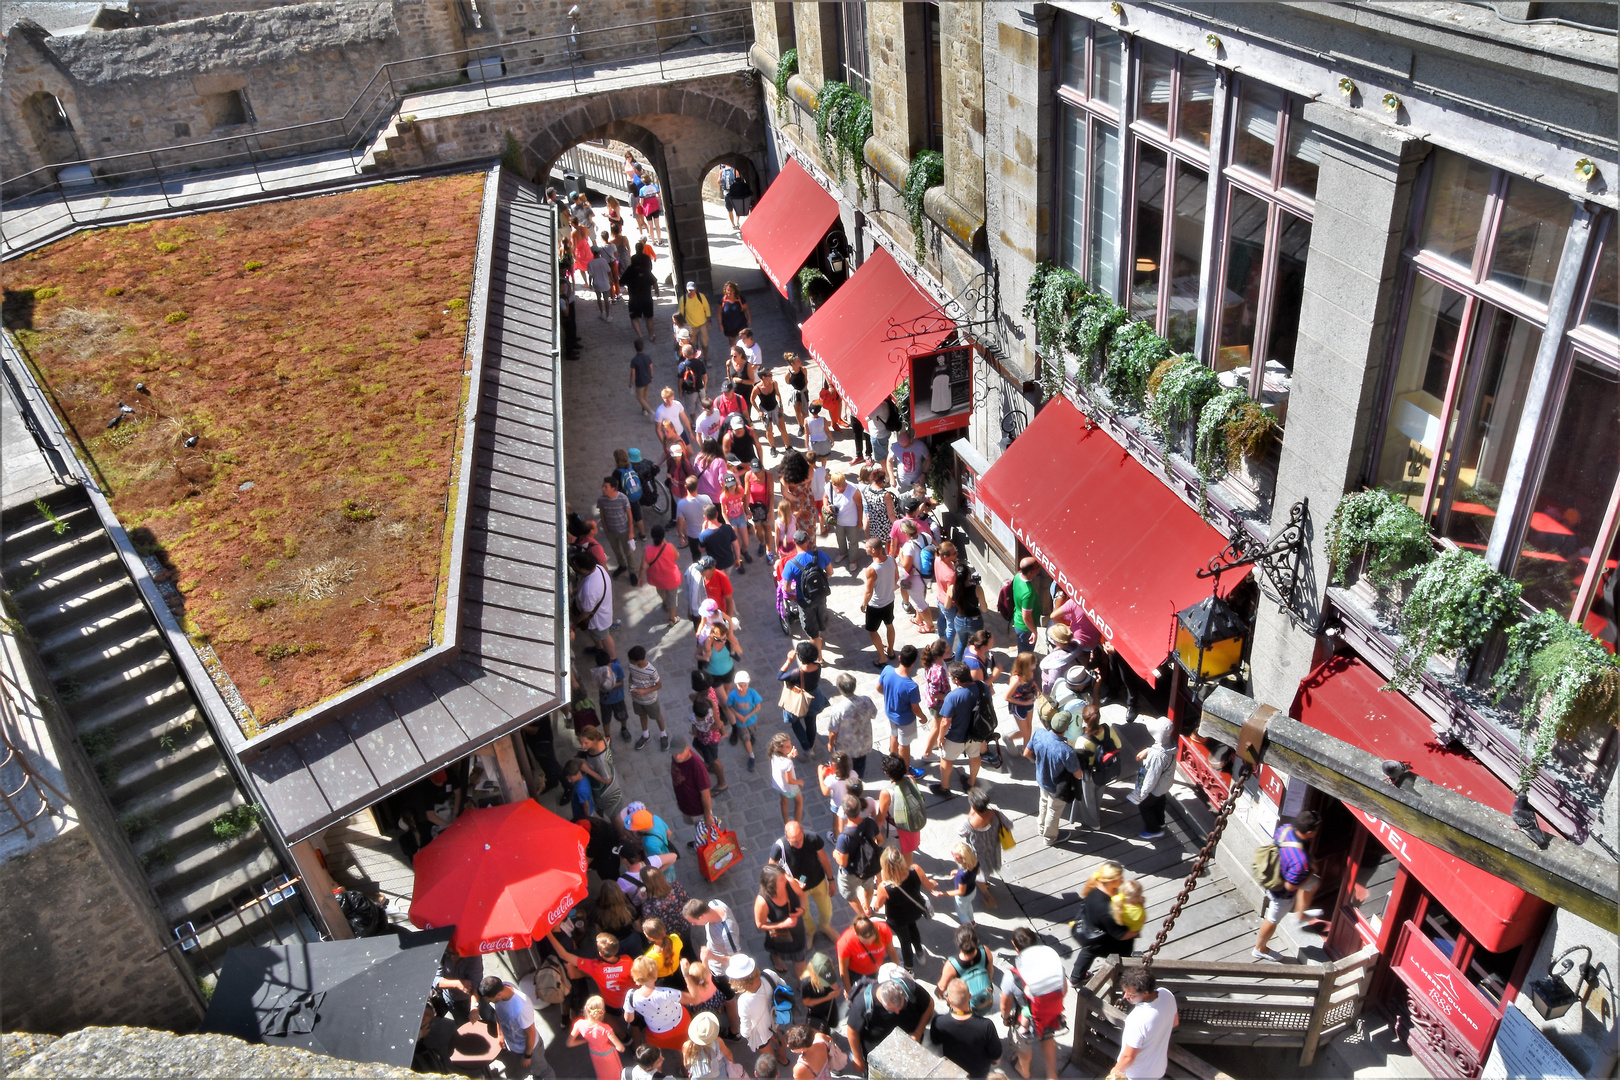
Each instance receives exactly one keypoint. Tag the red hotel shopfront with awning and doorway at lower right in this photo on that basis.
(1456, 943)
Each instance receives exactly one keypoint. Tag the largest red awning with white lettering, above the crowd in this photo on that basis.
(1107, 530)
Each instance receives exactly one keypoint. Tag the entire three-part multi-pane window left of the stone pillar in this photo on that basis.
(1133, 218)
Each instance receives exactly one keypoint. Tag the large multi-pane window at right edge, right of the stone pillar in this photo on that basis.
(1541, 498)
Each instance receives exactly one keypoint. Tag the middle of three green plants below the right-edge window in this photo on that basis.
(1457, 603)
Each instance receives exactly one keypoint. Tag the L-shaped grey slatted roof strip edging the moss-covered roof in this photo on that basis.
(513, 663)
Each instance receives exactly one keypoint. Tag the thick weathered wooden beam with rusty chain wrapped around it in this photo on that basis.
(1564, 875)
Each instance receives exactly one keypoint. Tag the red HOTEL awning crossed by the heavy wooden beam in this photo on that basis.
(1344, 699)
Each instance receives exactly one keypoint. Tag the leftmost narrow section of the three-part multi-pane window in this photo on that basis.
(1091, 96)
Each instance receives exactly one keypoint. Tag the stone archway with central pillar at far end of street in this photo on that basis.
(684, 132)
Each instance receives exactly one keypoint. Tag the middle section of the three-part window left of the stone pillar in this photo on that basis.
(1172, 129)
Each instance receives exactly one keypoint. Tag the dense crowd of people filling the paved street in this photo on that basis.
(662, 980)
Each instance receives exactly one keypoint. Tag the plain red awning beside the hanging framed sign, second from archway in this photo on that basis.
(863, 336)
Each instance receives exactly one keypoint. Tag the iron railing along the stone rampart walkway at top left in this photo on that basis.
(498, 74)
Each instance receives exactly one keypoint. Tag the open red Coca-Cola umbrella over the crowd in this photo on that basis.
(503, 877)
